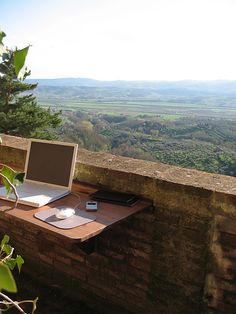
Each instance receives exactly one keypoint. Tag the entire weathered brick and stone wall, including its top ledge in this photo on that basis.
(178, 257)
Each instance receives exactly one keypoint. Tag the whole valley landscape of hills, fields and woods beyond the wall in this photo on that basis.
(188, 128)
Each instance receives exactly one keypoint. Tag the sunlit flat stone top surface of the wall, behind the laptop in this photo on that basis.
(147, 169)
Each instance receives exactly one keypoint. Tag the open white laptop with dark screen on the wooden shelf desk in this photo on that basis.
(49, 173)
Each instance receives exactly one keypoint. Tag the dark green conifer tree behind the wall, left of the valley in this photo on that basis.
(19, 112)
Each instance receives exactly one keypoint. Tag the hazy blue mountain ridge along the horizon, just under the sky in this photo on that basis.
(190, 87)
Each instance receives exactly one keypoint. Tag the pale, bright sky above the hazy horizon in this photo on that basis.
(124, 39)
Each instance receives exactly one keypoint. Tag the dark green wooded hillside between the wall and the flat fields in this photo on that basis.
(204, 144)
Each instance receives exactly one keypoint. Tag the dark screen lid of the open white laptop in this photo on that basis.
(50, 163)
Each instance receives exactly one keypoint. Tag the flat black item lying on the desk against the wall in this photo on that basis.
(115, 197)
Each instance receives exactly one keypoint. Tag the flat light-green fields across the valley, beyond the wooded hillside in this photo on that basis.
(168, 110)
